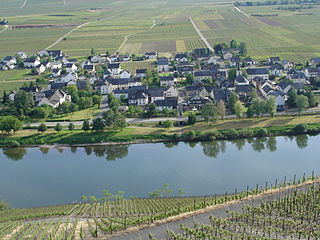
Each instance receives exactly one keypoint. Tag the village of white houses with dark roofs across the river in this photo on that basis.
(184, 82)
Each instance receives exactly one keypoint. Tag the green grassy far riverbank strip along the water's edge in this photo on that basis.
(139, 135)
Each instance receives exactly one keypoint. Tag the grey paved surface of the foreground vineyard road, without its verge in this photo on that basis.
(159, 232)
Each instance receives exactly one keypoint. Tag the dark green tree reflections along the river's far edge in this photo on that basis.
(210, 149)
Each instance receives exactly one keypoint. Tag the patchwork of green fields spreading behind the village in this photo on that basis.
(139, 26)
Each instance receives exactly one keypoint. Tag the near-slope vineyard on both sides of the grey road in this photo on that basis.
(294, 216)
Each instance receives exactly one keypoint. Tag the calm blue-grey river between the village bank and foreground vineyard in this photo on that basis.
(31, 177)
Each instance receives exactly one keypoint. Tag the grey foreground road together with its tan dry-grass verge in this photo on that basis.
(159, 230)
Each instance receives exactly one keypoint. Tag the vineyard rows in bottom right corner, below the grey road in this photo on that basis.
(295, 216)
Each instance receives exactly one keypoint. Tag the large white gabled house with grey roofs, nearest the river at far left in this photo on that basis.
(54, 98)
